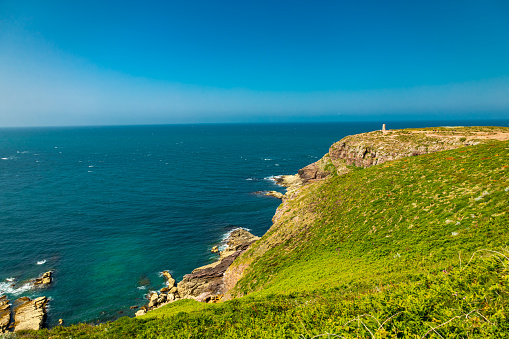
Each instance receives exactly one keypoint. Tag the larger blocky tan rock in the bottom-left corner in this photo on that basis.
(30, 314)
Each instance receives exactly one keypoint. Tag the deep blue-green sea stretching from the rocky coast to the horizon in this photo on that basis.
(108, 208)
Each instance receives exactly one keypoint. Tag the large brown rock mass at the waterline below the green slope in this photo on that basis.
(206, 283)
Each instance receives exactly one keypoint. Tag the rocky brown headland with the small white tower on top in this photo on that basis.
(374, 148)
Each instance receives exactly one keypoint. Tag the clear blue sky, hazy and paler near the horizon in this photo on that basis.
(161, 62)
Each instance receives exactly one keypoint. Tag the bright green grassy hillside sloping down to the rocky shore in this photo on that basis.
(411, 248)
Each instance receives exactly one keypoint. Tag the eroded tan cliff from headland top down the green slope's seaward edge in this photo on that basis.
(361, 150)
